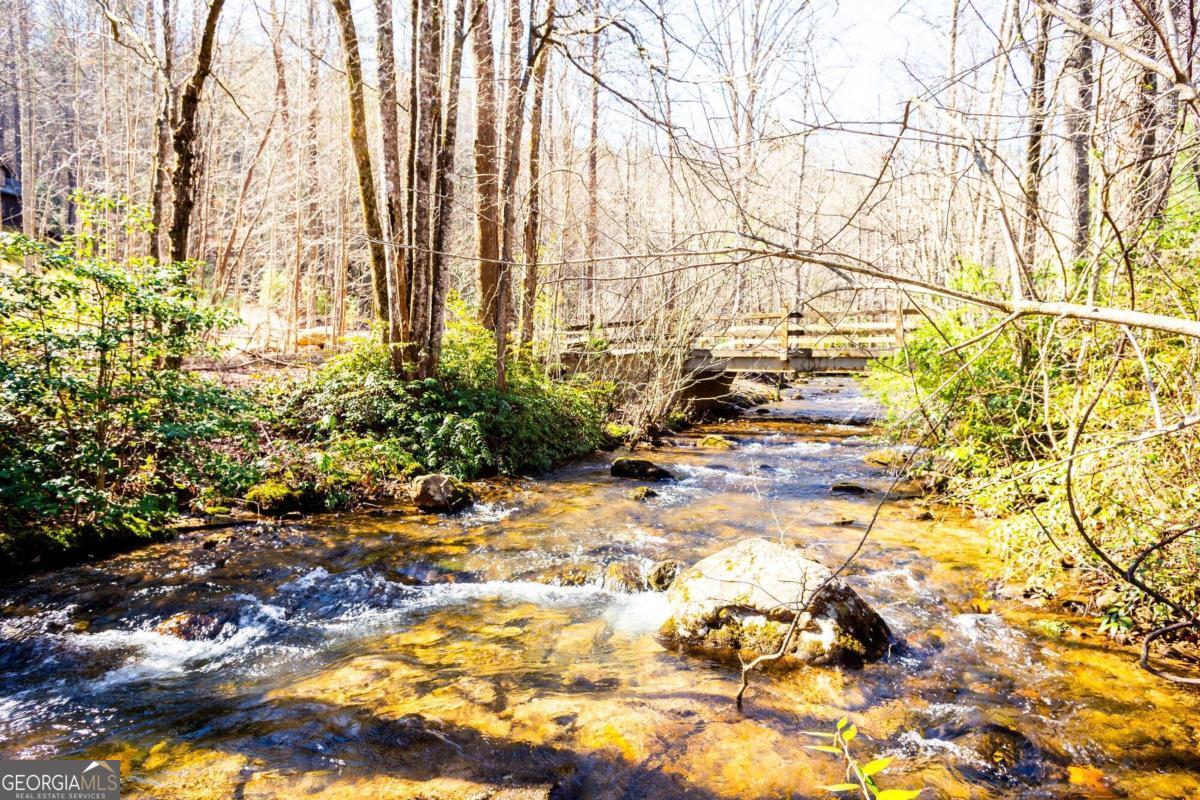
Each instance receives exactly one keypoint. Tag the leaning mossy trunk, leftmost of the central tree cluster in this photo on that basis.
(363, 164)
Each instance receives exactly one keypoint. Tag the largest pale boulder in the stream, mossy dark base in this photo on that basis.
(742, 600)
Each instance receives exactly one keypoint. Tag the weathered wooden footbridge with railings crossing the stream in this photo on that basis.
(781, 342)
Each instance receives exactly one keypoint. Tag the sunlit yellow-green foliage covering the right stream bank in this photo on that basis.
(1001, 414)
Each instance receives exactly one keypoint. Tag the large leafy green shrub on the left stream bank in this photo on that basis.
(99, 441)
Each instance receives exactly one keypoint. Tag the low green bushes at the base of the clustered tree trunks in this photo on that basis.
(457, 423)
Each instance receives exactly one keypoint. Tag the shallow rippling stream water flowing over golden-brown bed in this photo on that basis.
(394, 655)
